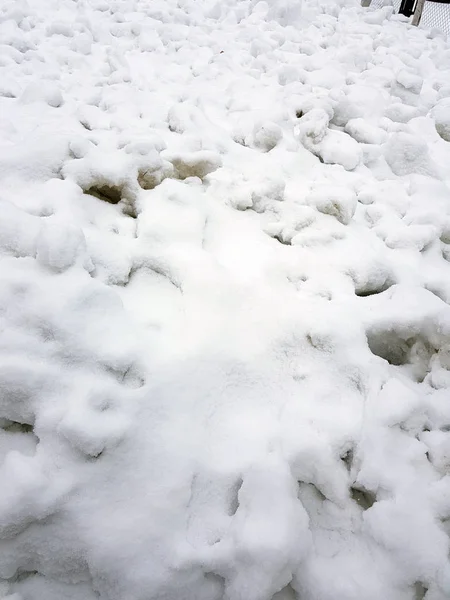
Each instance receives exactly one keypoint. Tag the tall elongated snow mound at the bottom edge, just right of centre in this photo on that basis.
(269, 535)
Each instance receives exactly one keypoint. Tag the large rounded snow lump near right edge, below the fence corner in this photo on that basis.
(406, 154)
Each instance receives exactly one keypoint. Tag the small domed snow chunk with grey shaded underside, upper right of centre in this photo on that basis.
(339, 202)
